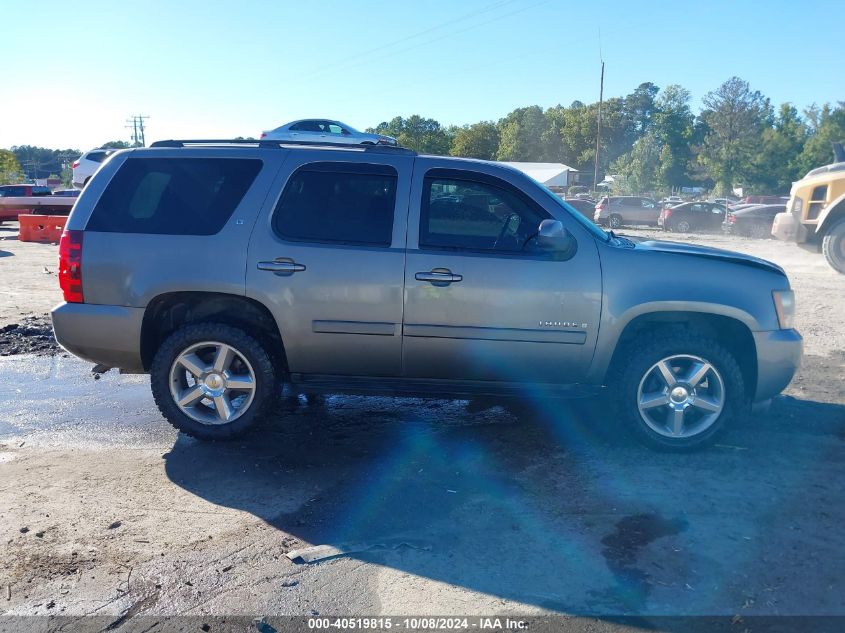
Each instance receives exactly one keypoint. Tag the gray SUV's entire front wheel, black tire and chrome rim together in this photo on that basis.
(647, 405)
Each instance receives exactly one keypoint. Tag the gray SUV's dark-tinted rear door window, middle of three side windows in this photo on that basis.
(338, 202)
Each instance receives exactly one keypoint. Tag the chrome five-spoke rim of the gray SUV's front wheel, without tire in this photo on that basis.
(681, 396)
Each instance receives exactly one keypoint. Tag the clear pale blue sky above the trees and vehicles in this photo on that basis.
(75, 72)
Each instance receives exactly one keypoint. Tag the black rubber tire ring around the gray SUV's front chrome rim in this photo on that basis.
(642, 353)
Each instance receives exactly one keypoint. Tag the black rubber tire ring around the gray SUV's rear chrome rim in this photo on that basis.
(265, 379)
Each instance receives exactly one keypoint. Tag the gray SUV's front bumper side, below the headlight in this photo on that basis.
(778, 358)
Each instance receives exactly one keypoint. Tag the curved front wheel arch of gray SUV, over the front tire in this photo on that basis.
(730, 330)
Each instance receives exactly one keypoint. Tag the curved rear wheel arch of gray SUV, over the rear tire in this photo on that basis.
(168, 312)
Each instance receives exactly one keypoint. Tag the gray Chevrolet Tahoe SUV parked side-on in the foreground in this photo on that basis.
(226, 270)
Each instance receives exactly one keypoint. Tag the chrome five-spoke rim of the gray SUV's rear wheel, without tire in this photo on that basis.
(212, 383)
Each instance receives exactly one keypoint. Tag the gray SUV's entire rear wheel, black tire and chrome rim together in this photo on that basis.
(199, 346)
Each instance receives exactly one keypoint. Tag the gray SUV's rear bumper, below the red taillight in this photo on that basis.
(102, 334)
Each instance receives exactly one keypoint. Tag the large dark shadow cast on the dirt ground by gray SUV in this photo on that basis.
(543, 510)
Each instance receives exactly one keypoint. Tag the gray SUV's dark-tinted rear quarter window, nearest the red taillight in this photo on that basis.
(173, 196)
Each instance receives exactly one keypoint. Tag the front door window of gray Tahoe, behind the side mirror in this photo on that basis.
(462, 214)
